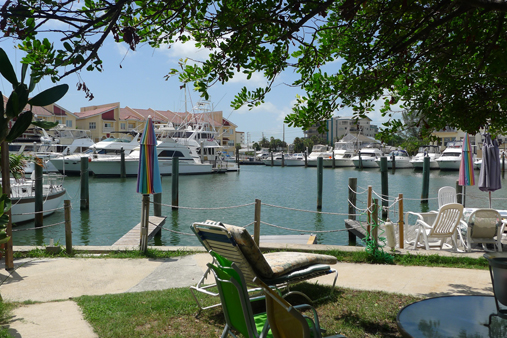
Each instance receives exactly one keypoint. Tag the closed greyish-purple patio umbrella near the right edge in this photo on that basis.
(489, 176)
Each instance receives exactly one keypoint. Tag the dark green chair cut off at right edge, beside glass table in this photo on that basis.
(498, 272)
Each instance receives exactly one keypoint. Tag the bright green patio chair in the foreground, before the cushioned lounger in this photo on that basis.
(236, 304)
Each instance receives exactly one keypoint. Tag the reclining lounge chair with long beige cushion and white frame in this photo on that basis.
(275, 269)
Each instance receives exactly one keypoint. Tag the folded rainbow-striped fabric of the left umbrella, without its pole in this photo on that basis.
(148, 174)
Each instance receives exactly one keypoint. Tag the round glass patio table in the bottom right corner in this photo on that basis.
(452, 316)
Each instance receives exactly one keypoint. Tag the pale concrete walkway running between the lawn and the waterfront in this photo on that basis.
(52, 283)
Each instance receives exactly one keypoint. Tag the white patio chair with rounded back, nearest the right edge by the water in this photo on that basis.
(485, 226)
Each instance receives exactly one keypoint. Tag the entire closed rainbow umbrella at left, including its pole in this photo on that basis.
(148, 176)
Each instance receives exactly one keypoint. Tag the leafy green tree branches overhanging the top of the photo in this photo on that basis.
(443, 61)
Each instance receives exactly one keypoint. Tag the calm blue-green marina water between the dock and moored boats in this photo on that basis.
(115, 207)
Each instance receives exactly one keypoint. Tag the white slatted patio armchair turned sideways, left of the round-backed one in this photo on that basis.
(444, 226)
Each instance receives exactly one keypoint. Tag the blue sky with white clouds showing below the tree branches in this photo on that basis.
(136, 79)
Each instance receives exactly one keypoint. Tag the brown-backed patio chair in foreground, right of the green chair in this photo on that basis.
(285, 321)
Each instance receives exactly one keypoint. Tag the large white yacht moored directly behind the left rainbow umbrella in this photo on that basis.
(168, 148)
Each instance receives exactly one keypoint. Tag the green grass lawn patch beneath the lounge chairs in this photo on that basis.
(174, 313)
